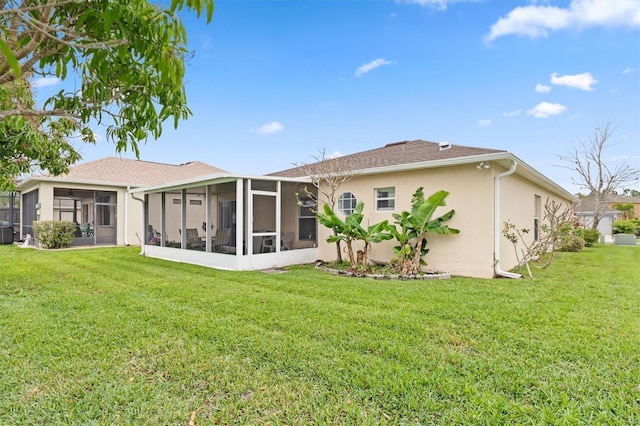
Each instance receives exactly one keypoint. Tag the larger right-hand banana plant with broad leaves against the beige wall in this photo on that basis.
(414, 227)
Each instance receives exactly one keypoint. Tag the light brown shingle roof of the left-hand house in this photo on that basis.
(137, 172)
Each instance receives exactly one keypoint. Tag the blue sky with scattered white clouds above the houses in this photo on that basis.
(274, 81)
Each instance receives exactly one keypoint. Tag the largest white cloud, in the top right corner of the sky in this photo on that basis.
(538, 20)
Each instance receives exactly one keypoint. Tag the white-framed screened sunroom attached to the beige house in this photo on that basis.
(229, 222)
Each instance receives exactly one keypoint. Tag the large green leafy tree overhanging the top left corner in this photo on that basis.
(124, 61)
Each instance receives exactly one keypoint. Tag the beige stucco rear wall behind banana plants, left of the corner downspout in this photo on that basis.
(468, 253)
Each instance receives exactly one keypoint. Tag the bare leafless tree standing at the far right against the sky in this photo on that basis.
(600, 179)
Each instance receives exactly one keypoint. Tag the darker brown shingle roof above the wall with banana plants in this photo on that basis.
(399, 153)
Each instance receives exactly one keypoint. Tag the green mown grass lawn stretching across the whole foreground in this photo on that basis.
(104, 336)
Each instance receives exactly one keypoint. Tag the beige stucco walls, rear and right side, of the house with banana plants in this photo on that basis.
(470, 253)
